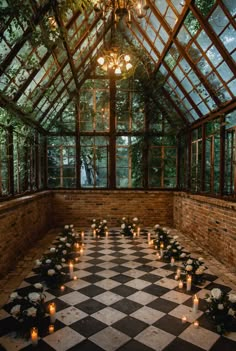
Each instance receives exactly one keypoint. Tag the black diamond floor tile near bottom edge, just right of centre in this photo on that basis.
(130, 326)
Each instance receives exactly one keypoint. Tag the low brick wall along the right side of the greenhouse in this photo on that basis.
(210, 222)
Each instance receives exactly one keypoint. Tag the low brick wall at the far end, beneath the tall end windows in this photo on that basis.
(80, 207)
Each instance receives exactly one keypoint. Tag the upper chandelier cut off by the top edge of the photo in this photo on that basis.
(122, 9)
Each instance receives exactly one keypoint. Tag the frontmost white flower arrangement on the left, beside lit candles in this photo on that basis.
(27, 308)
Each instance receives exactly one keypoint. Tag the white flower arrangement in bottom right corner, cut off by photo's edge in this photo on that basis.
(222, 310)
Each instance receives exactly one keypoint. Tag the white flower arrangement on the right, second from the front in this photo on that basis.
(195, 268)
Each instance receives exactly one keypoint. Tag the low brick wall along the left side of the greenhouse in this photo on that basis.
(22, 222)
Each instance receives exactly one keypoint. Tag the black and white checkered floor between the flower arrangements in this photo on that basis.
(124, 299)
